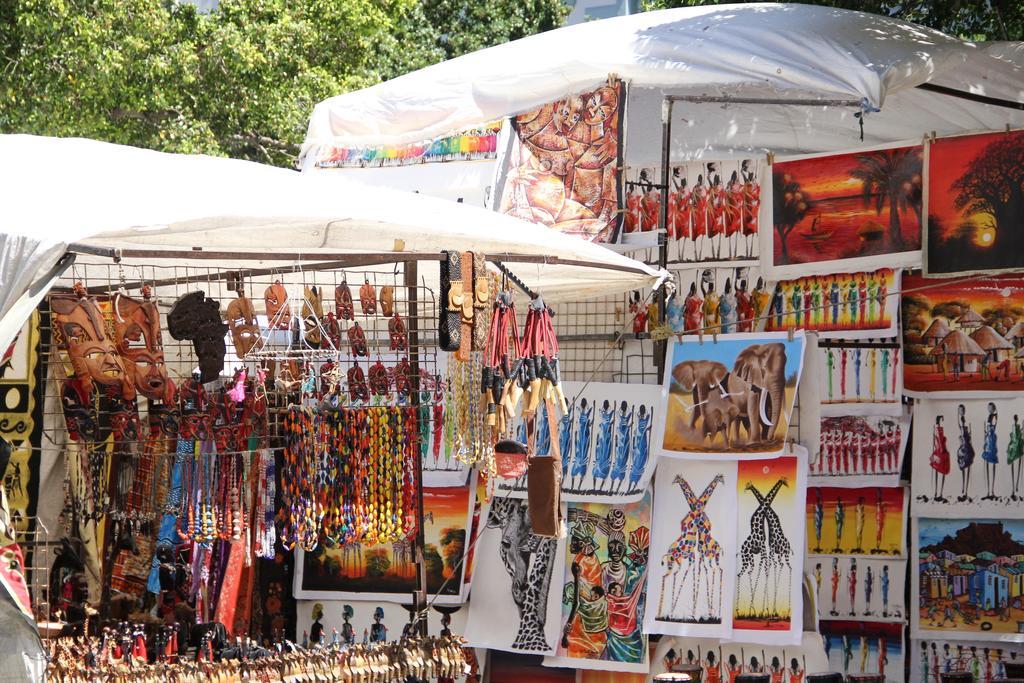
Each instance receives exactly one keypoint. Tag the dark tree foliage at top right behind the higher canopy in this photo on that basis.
(971, 20)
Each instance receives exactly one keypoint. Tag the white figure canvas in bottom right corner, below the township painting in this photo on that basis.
(987, 662)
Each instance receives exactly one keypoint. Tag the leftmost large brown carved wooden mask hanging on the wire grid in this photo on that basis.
(94, 357)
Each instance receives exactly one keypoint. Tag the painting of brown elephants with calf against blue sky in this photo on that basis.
(734, 396)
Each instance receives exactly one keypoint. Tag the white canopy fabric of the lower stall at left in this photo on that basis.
(59, 192)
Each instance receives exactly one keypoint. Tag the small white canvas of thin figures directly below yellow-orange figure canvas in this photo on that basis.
(866, 588)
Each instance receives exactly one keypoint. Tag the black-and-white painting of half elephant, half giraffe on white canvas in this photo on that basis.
(519, 576)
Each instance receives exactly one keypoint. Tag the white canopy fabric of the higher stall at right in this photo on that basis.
(750, 51)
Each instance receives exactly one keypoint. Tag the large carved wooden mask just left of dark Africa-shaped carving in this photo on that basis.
(138, 335)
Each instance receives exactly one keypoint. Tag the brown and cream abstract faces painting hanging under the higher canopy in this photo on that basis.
(562, 168)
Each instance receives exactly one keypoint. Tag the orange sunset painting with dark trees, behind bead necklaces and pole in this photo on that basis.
(388, 572)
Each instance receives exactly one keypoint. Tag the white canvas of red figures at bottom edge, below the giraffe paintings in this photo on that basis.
(724, 662)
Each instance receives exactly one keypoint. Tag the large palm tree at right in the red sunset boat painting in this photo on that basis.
(893, 178)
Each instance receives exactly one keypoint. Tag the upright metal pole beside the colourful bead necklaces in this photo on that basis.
(411, 275)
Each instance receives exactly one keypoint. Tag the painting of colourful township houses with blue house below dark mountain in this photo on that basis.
(969, 579)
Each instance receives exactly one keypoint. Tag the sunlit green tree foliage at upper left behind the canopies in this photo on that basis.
(240, 81)
